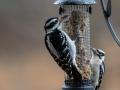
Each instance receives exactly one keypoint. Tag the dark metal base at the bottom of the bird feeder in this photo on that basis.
(71, 85)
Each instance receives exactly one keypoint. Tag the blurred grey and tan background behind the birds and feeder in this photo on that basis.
(25, 63)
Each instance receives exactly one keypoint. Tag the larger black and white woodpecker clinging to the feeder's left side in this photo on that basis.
(61, 47)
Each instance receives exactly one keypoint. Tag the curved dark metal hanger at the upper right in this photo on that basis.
(107, 14)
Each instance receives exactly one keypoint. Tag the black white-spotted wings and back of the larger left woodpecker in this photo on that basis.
(57, 45)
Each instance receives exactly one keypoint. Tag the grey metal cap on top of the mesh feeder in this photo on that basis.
(74, 2)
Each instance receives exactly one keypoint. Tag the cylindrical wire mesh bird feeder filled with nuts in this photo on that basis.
(78, 25)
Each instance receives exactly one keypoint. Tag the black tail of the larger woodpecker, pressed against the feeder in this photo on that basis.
(76, 74)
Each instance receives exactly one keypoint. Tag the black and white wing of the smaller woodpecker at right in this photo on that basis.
(102, 71)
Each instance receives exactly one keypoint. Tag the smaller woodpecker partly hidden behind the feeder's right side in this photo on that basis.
(97, 67)
